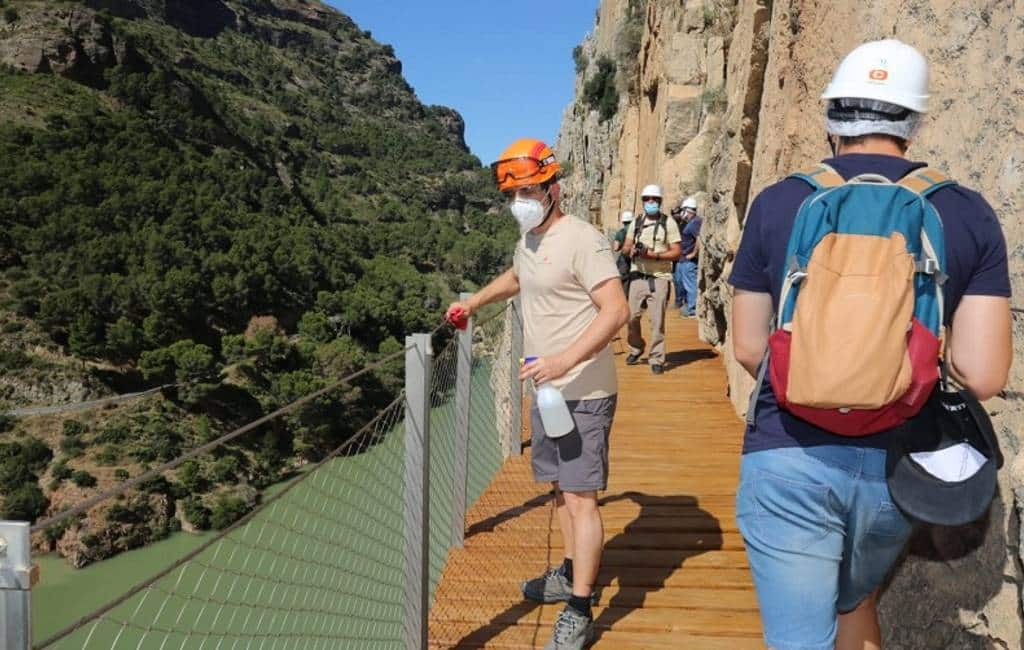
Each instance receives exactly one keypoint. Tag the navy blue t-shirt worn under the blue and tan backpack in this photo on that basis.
(976, 259)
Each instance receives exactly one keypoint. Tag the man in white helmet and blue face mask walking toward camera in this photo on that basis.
(653, 243)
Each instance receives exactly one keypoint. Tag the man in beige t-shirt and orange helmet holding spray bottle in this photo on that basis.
(573, 305)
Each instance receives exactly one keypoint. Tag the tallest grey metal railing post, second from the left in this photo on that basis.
(419, 366)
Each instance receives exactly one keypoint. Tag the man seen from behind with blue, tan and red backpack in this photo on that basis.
(862, 280)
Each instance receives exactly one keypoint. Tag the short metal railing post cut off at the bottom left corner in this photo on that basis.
(16, 586)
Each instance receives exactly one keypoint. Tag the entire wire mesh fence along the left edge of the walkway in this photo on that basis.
(329, 559)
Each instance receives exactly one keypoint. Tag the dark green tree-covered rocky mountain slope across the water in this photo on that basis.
(242, 199)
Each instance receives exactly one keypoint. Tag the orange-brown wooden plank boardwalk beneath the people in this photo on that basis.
(674, 573)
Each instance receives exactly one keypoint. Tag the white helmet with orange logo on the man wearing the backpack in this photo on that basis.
(887, 71)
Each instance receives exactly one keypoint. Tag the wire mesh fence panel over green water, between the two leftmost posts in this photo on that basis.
(293, 574)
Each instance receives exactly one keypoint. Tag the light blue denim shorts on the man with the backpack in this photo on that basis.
(822, 534)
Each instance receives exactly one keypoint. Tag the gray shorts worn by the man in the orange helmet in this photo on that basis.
(579, 461)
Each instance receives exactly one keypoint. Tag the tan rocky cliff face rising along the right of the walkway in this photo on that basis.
(728, 105)
